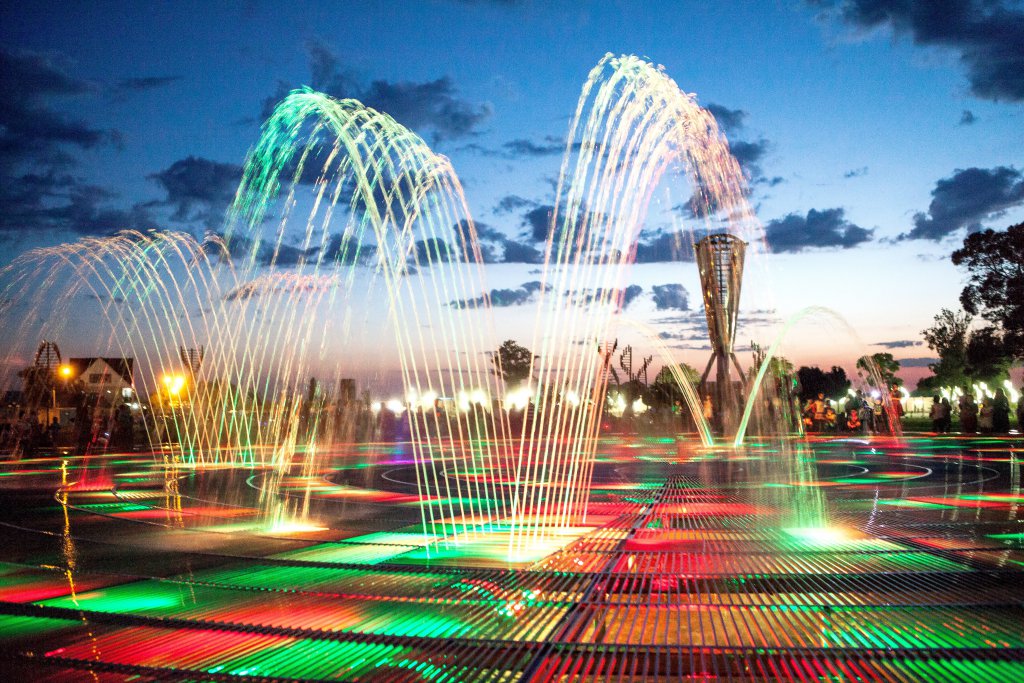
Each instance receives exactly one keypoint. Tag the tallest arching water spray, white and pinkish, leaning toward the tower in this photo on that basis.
(632, 124)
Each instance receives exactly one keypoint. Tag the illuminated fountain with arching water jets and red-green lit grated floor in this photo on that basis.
(247, 540)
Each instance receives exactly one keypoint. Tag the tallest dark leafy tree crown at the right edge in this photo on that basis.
(996, 289)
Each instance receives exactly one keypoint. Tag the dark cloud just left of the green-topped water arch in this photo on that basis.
(198, 190)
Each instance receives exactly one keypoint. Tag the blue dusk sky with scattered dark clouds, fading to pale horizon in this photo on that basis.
(874, 135)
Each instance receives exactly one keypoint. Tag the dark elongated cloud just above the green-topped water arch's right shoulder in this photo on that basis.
(431, 106)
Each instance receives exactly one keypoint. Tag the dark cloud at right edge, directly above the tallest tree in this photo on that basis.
(966, 199)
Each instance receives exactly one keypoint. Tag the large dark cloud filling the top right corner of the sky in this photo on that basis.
(989, 35)
